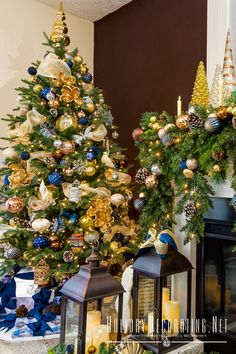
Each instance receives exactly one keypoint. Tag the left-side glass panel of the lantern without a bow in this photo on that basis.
(72, 320)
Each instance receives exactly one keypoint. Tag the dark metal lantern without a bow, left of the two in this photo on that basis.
(86, 318)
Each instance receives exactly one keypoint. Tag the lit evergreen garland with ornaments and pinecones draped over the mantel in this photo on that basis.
(180, 160)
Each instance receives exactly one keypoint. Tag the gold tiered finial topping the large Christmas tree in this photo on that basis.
(59, 28)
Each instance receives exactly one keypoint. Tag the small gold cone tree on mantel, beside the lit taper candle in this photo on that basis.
(200, 93)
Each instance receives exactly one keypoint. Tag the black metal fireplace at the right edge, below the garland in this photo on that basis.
(216, 279)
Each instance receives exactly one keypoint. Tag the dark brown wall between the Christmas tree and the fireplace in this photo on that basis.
(146, 54)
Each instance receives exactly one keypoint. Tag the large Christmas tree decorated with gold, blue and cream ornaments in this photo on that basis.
(65, 181)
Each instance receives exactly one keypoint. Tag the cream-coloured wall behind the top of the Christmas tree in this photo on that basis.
(21, 34)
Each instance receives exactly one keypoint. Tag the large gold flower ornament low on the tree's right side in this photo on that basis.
(101, 211)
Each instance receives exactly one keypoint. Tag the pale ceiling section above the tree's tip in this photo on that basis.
(91, 10)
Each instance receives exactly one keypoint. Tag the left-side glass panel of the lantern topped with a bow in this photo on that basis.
(145, 305)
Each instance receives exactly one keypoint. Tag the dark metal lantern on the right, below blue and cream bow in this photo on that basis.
(154, 322)
